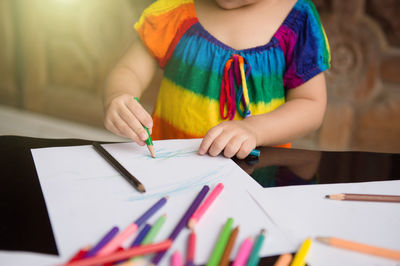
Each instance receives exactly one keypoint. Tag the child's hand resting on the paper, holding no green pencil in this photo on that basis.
(231, 137)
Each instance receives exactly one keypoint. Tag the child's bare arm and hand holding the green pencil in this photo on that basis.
(128, 79)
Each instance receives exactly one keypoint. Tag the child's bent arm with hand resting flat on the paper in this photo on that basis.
(301, 114)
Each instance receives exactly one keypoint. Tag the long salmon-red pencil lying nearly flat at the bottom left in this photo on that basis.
(123, 254)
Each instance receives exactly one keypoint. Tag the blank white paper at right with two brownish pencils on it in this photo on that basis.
(303, 211)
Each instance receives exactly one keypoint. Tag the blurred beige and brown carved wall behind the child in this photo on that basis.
(56, 54)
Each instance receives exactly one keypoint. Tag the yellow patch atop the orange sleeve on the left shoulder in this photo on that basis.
(159, 7)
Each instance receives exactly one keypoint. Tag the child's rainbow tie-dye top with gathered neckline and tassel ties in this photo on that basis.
(195, 94)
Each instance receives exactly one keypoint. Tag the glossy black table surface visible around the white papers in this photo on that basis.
(25, 224)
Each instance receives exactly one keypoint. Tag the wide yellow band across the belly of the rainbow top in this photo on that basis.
(193, 113)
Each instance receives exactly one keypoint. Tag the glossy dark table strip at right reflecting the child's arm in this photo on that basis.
(284, 167)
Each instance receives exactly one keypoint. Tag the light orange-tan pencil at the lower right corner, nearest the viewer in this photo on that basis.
(363, 248)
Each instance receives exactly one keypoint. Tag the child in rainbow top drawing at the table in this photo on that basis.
(239, 73)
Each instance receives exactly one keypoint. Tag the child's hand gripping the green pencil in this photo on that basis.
(126, 117)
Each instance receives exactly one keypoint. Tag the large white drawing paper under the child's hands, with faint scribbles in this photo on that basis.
(85, 196)
